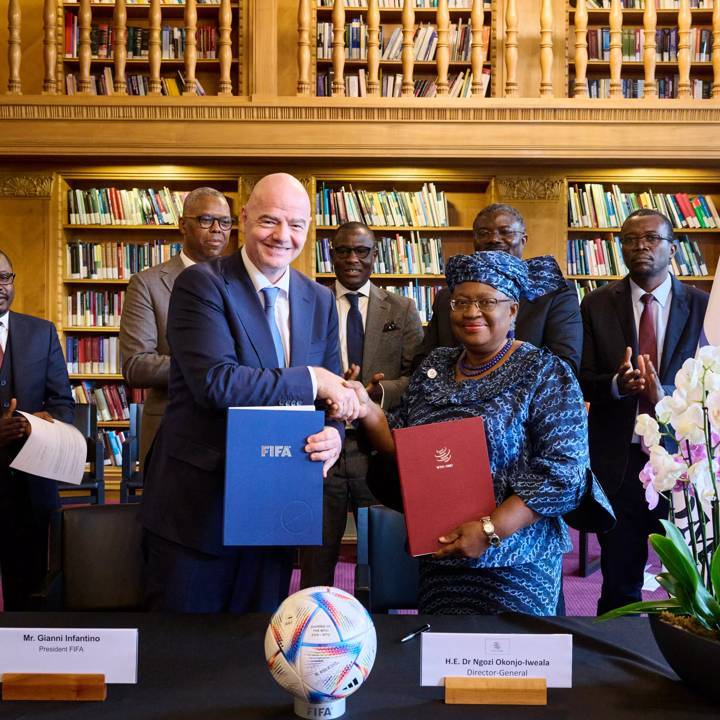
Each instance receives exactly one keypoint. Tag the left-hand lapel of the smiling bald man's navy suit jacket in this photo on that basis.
(248, 309)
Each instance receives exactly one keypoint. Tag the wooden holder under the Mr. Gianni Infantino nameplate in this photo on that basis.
(53, 686)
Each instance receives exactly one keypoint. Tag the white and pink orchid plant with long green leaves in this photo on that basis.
(683, 441)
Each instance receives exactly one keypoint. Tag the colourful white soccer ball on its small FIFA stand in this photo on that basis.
(320, 646)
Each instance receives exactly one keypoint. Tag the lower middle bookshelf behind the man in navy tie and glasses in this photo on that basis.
(414, 240)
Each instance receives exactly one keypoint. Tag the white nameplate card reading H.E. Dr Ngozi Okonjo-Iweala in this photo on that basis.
(486, 655)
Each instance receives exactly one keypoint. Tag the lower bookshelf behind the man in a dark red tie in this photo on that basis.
(689, 199)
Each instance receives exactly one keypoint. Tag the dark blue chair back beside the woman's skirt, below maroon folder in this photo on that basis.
(386, 576)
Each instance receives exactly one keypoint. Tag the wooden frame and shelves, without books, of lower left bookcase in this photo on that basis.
(108, 238)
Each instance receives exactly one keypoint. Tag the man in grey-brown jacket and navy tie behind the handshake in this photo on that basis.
(379, 334)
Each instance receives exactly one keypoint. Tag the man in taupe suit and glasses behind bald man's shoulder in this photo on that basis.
(205, 228)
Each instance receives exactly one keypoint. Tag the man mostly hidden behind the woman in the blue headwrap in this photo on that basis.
(551, 321)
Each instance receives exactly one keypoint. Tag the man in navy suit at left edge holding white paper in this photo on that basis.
(34, 379)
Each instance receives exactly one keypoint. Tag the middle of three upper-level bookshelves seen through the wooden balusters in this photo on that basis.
(390, 39)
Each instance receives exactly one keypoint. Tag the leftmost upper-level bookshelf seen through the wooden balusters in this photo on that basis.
(172, 36)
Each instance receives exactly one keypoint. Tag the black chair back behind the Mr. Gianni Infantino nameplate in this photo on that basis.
(96, 559)
